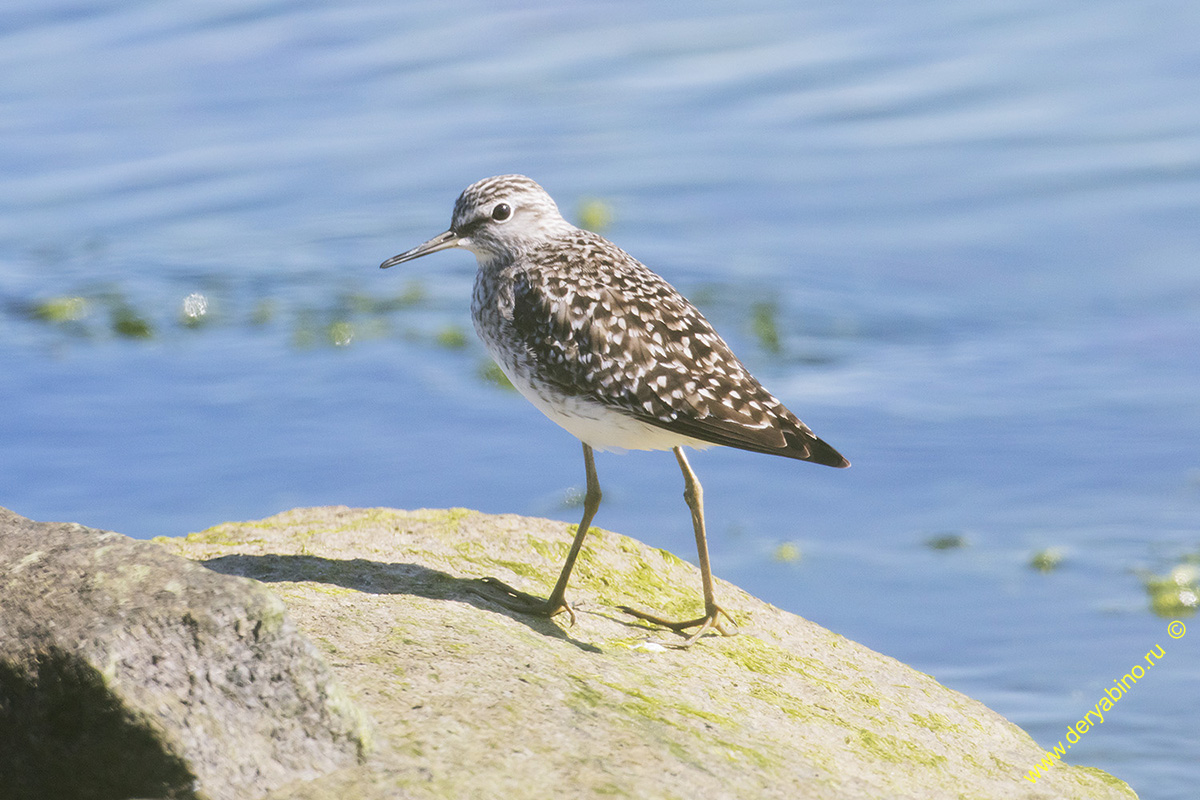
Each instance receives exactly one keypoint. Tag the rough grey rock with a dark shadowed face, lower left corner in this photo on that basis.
(130, 672)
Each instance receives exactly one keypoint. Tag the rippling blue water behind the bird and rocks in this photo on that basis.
(974, 228)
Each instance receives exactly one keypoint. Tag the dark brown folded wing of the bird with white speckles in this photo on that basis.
(598, 324)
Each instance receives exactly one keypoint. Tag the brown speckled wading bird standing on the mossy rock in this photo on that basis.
(613, 353)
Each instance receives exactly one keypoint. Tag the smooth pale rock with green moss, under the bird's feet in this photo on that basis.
(472, 701)
